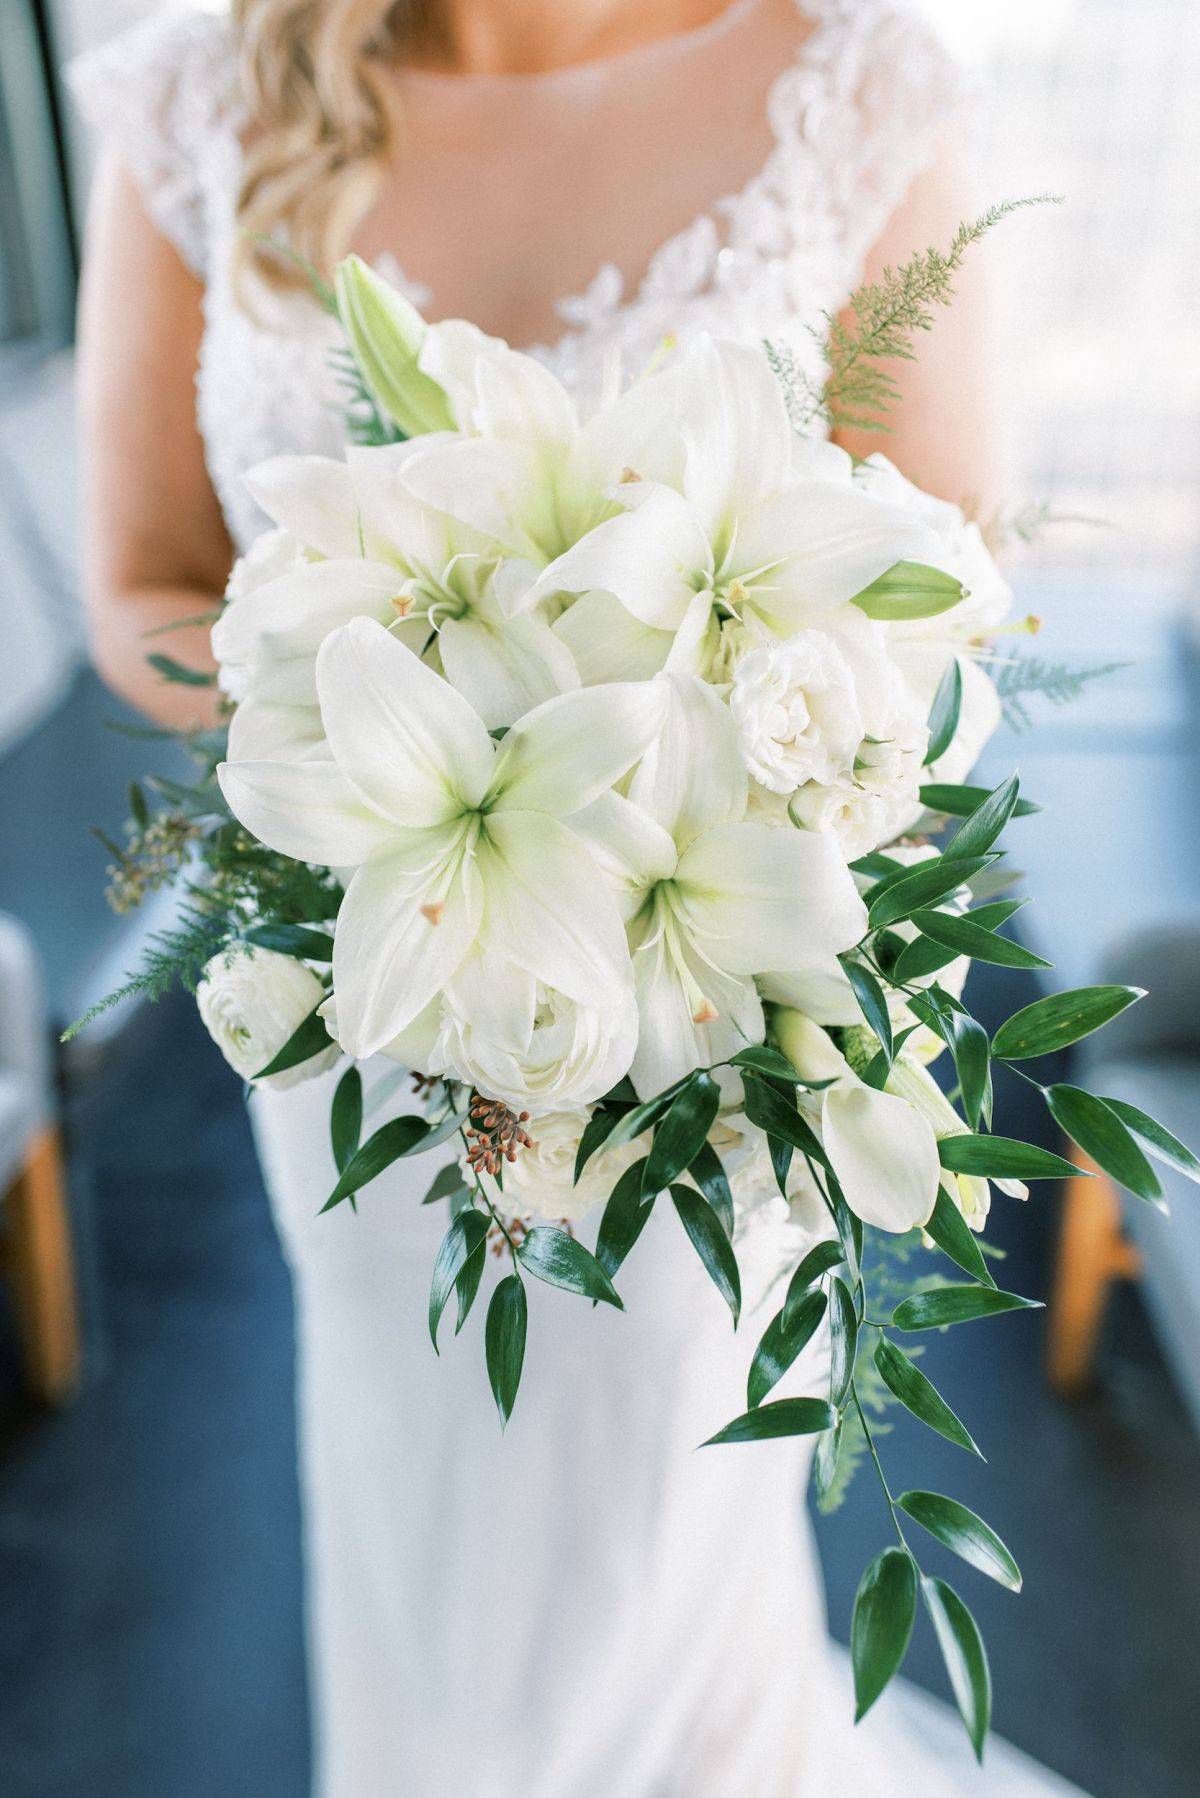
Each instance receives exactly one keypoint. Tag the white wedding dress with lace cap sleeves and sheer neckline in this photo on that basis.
(580, 1608)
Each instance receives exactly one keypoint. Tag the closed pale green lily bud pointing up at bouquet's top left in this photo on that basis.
(386, 334)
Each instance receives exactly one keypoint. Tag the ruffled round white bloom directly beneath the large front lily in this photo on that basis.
(568, 1056)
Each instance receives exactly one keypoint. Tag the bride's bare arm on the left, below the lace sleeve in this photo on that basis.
(156, 547)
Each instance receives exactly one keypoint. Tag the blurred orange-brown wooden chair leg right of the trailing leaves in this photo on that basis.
(1093, 1252)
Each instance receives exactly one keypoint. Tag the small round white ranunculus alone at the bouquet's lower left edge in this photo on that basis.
(253, 1001)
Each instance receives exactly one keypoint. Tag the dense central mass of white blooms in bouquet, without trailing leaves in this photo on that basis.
(591, 715)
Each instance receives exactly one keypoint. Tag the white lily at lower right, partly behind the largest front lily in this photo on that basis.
(712, 900)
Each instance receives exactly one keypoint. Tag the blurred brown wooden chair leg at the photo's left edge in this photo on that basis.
(42, 1270)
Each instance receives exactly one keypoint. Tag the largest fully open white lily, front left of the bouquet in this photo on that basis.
(458, 842)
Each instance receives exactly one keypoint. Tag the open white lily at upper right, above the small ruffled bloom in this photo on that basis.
(760, 528)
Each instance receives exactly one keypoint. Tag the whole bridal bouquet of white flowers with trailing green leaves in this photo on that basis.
(607, 769)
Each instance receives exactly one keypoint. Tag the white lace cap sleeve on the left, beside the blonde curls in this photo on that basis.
(165, 96)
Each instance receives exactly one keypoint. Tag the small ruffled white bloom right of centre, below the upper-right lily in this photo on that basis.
(796, 711)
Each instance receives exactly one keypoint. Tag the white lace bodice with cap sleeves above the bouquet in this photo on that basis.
(850, 118)
